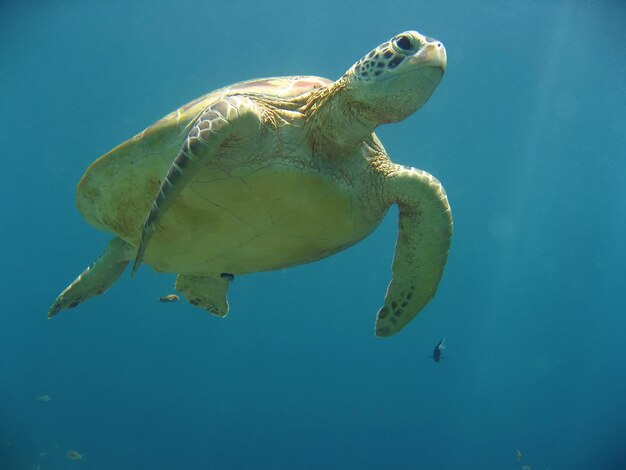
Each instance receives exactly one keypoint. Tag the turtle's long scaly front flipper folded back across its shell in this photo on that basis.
(233, 115)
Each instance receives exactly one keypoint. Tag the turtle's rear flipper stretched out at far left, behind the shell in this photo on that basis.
(97, 278)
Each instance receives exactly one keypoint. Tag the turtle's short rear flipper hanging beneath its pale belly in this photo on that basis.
(207, 292)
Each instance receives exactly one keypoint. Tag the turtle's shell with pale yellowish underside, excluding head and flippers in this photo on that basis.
(263, 205)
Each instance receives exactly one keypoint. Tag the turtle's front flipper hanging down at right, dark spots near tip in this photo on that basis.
(425, 231)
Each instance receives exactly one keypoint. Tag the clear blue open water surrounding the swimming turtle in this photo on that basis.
(527, 132)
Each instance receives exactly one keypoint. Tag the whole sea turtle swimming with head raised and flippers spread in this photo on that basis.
(272, 173)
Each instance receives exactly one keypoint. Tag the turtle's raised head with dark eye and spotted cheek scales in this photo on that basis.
(395, 79)
